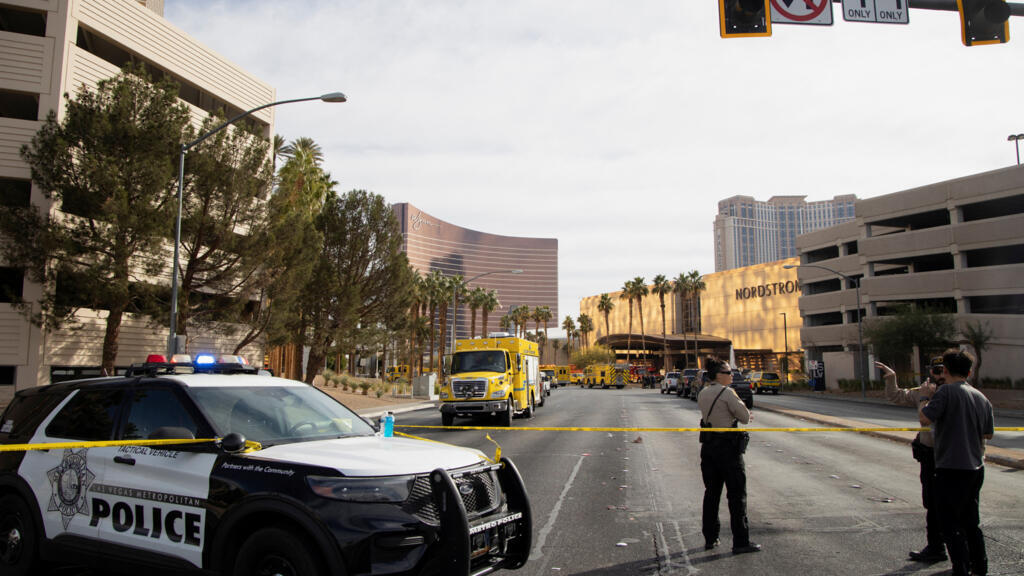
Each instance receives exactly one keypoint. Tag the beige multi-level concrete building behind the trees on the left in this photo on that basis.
(53, 48)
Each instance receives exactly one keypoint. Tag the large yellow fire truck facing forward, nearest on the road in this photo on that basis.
(496, 377)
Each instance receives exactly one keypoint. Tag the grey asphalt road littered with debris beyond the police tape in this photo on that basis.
(613, 504)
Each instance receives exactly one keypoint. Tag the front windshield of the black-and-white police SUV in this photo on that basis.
(278, 415)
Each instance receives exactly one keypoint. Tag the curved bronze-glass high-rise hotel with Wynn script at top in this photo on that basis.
(434, 244)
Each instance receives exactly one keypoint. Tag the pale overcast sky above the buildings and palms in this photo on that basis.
(617, 128)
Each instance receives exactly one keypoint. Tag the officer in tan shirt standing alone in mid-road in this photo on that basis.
(722, 458)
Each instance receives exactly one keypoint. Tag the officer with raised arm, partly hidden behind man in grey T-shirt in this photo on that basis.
(923, 449)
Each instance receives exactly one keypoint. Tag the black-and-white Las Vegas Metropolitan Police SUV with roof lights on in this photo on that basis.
(323, 492)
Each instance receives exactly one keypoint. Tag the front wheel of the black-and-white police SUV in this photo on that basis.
(273, 552)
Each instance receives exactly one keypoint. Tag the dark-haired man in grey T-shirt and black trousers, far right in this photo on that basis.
(962, 420)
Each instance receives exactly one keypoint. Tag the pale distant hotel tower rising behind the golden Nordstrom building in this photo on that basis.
(749, 232)
